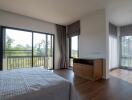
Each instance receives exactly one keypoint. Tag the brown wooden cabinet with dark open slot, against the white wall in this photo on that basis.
(91, 69)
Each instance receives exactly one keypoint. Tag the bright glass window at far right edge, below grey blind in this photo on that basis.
(126, 52)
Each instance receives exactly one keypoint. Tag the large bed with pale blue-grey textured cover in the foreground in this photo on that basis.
(34, 84)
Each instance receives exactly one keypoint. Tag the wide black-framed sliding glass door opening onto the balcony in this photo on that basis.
(24, 49)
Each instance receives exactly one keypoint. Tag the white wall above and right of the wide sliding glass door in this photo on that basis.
(23, 22)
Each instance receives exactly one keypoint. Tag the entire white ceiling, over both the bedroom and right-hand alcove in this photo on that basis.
(65, 12)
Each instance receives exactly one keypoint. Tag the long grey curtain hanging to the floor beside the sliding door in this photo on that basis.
(61, 34)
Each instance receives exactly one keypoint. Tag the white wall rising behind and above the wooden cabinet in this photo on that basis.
(92, 41)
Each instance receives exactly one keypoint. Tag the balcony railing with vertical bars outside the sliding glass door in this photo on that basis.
(14, 62)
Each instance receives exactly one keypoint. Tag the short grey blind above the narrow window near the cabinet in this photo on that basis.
(73, 29)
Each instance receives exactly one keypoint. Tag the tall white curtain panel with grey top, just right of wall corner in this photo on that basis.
(113, 47)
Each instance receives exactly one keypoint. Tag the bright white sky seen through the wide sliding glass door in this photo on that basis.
(24, 38)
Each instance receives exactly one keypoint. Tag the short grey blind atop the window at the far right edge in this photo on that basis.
(126, 30)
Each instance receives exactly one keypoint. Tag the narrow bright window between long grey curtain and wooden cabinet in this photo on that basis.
(73, 48)
